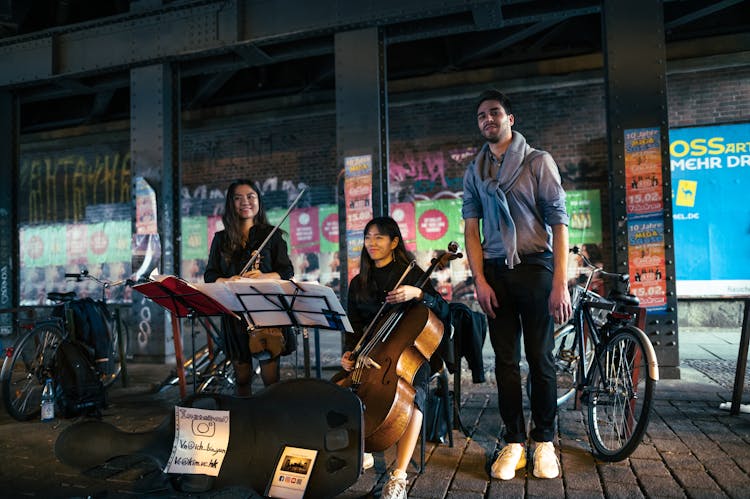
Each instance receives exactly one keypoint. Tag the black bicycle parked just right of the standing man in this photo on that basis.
(609, 364)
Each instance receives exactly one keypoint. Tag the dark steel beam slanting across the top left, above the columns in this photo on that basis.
(159, 35)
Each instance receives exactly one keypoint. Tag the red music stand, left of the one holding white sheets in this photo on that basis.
(182, 299)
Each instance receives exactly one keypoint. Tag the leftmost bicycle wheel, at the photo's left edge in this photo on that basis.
(25, 372)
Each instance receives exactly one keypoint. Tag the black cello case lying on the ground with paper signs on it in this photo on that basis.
(307, 413)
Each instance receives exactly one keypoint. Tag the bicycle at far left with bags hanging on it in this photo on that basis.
(31, 359)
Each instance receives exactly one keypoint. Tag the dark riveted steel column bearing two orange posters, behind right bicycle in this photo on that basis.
(635, 65)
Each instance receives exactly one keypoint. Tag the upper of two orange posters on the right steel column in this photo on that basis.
(643, 179)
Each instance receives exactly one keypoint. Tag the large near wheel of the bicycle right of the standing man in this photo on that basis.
(620, 395)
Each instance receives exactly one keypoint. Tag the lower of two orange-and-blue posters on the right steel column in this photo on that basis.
(647, 263)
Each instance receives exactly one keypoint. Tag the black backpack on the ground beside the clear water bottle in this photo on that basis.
(79, 389)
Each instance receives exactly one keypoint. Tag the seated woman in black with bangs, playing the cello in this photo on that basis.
(384, 260)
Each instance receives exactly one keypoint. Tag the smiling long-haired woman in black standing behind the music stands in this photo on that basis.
(245, 228)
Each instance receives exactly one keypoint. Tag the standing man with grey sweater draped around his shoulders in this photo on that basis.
(520, 274)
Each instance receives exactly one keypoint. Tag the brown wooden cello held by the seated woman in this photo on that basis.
(392, 349)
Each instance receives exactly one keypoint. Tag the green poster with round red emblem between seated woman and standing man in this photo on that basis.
(438, 223)
